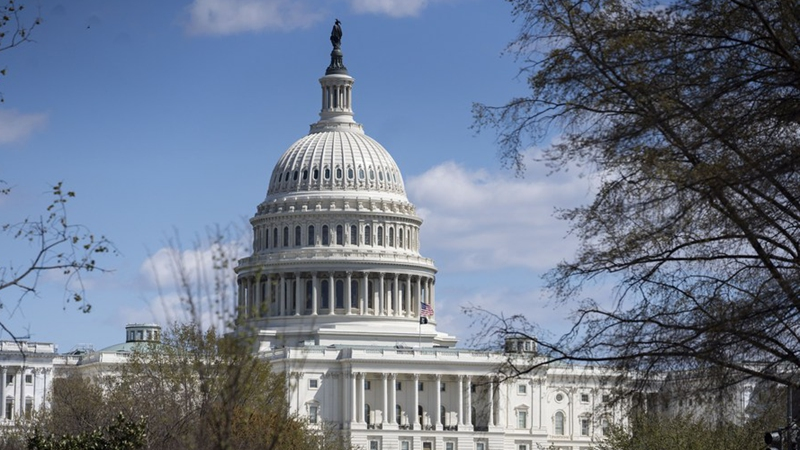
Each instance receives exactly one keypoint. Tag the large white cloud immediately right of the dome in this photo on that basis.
(480, 220)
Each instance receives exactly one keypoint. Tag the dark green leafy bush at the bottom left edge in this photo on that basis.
(121, 434)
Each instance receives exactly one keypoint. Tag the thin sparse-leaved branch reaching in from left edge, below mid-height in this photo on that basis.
(56, 246)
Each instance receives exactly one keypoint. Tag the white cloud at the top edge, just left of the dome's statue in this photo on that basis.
(223, 17)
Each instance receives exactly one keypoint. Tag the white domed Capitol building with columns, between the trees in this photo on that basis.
(342, 301)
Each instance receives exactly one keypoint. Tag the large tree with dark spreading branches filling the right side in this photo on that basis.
(687, 113)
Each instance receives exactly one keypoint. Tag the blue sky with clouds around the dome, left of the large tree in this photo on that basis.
(167, 117)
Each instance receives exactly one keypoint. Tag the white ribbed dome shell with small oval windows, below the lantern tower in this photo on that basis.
(336, 161)
